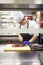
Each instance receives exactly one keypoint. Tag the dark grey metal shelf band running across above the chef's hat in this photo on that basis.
(27, 6)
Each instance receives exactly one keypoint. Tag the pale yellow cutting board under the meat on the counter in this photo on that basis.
(9, 48)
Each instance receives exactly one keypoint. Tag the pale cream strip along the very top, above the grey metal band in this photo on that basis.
(22, 1)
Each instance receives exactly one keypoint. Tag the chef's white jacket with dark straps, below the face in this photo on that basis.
(32, 24)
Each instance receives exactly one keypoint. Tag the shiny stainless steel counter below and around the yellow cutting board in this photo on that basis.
(16, 58)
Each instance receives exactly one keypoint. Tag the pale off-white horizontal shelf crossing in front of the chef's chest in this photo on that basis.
(13, 31)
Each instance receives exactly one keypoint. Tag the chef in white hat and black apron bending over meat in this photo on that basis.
(21, 20)
